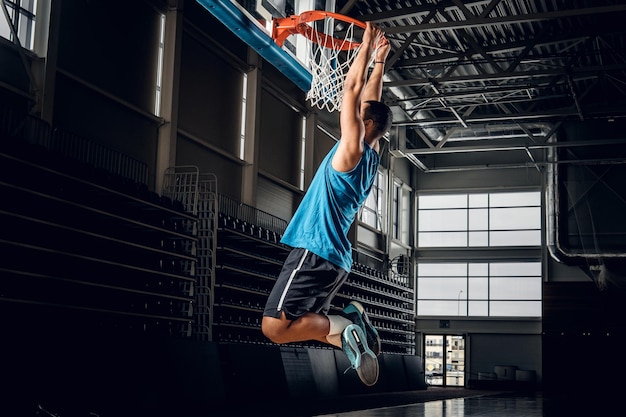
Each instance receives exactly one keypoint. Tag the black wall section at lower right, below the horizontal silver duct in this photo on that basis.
(583, 331)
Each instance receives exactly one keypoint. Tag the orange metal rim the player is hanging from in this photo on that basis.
(282, 28)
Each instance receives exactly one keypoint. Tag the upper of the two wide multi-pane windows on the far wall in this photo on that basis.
(480, 220)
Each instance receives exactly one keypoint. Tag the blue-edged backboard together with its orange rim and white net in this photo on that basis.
(303, 44)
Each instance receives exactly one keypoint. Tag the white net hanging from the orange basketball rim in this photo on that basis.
(330, 59)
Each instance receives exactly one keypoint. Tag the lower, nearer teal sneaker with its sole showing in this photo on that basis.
(361, 357)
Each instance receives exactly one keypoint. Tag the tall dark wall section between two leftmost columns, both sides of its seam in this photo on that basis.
(104, 89)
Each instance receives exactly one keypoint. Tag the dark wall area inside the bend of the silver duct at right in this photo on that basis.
(590, 194)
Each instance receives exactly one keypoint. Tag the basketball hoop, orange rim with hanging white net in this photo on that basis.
(330, 54)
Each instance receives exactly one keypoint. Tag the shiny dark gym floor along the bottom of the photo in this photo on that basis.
(437, 402)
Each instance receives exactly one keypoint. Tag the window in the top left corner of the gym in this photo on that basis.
(22, 18)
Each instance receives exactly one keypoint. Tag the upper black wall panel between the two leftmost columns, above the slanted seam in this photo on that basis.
(113, 50)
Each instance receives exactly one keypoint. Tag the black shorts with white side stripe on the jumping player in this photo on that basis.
(307, 283)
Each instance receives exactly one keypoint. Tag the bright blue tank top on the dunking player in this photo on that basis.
(329, 207)
